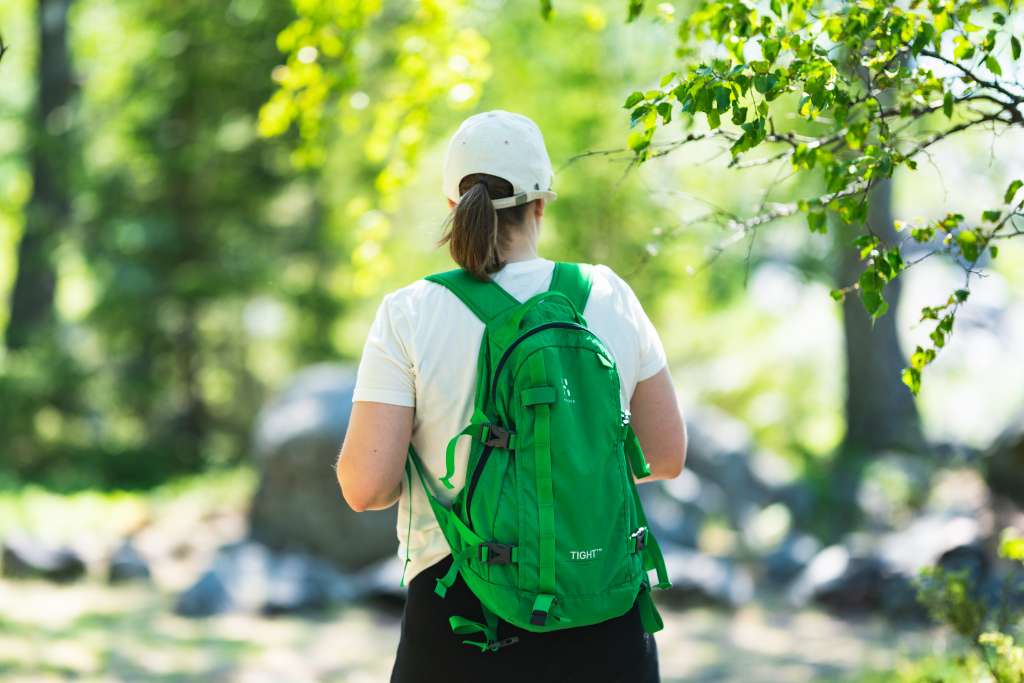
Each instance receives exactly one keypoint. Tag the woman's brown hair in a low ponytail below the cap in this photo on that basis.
(477, 233)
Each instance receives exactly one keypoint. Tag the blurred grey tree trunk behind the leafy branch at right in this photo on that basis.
(880, 410)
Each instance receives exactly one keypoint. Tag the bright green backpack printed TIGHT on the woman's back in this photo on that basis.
(548, 532)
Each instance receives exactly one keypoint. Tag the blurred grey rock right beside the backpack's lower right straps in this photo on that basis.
(701, 579)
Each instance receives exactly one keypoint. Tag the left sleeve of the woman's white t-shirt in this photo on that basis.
(387, 372)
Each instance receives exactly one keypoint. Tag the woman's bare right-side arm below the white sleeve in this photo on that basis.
(659, 424)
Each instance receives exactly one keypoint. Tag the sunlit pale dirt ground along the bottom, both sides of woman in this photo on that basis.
(94, 632)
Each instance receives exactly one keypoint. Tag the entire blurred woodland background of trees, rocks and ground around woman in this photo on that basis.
(191, 257)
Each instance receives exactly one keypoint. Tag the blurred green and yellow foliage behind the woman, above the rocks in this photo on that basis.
(249, 177)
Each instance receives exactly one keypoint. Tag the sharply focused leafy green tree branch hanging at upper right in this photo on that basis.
(851, 92)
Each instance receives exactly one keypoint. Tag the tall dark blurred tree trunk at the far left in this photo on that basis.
(50, 207)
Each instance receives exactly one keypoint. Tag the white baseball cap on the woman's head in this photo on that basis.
(502, 144)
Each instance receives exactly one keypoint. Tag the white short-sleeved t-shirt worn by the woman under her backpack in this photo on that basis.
(422, 351)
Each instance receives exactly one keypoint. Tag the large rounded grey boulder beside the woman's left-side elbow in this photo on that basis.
(298, 505)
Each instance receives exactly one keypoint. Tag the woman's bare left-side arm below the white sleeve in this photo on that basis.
(373, 457)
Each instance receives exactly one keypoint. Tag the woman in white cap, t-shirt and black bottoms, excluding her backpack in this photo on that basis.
(416, 382)
